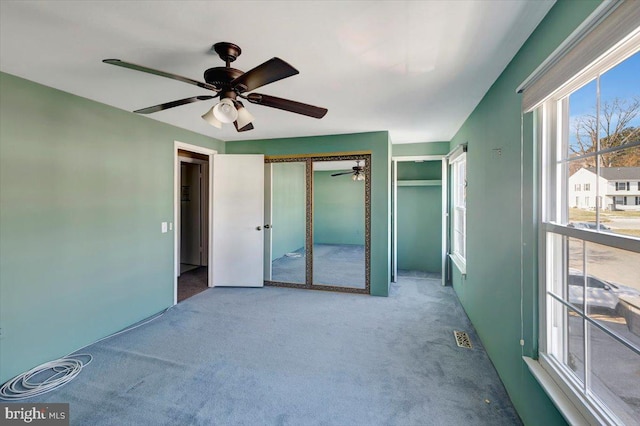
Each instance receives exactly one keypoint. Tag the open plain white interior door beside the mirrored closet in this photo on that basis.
(237, 221)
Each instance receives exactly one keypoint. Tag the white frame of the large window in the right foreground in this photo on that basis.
(552, 220)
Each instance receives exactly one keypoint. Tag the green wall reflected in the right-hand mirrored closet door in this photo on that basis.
(338, 209)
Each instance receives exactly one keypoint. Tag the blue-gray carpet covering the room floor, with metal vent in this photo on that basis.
(279, 356)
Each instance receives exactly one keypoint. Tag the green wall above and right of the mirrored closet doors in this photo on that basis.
(379, 145)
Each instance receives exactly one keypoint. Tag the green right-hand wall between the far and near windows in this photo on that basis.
(491, 293)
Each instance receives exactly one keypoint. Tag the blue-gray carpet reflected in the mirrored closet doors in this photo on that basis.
(339, 265)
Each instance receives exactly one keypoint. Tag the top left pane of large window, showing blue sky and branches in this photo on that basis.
(582, 123)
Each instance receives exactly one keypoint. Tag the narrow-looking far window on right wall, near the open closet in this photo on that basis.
(459, 209)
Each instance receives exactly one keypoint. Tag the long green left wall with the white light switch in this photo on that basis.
(83, 190)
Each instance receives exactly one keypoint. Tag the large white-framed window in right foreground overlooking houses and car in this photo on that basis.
(590, 339)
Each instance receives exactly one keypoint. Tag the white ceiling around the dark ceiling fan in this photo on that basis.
(415, 68)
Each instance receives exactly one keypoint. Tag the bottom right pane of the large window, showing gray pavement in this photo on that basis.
(615, 375)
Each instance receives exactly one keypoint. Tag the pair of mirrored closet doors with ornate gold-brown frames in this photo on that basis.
(318, 215)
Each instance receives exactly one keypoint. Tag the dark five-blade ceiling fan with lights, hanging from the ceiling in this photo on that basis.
(230, 84)
